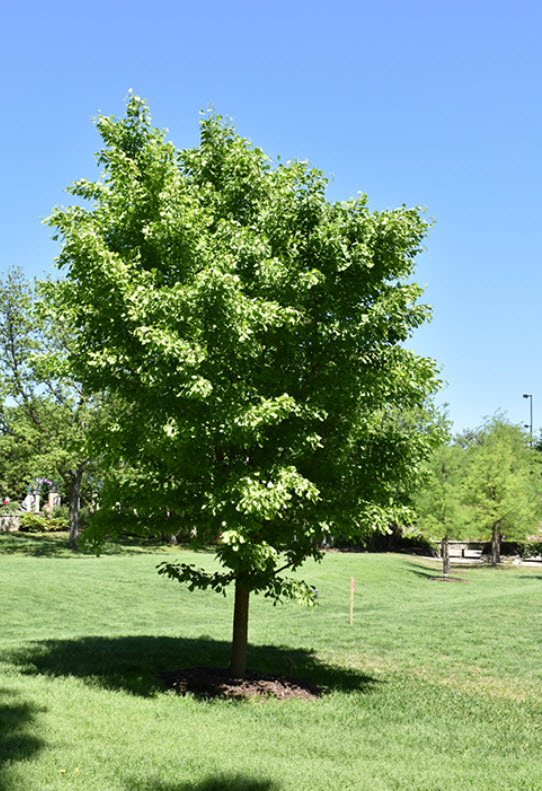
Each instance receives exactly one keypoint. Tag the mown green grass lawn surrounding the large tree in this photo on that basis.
(435, 686)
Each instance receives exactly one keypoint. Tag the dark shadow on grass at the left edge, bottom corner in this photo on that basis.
(16, 740)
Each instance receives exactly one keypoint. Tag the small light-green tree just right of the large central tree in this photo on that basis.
(440, 503)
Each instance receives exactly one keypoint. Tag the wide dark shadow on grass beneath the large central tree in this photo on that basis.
(132, 663)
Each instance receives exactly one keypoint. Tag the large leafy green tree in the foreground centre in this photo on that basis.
(251, 335)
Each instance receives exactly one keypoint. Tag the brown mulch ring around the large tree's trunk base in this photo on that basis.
(216, 682)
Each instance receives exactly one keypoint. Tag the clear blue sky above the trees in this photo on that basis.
(424, 102)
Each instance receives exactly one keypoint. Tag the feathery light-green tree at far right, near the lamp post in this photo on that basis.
(503, 483)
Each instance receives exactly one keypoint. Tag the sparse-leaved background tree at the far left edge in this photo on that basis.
(43, 414)
